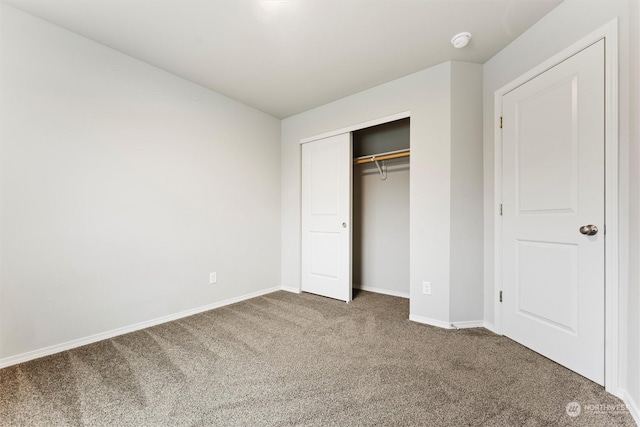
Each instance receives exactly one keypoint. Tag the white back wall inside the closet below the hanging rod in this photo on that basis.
(381, 228)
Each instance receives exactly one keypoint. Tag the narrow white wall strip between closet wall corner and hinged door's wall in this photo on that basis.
(466, 192)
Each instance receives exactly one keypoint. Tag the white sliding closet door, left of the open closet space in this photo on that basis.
(326, 217)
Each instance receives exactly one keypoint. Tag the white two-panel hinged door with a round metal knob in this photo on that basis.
(553, 184)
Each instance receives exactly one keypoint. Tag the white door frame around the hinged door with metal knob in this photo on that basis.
(612, 286)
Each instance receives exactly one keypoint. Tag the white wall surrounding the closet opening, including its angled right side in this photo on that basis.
(434, 250)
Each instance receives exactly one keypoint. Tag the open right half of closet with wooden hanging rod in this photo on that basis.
(380, 239)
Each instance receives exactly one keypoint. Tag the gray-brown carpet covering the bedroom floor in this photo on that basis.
(286, 359)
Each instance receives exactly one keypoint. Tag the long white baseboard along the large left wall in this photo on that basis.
(25, 357)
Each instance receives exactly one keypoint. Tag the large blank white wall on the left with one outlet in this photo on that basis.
(122, 187)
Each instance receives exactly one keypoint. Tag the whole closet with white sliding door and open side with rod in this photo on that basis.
(355, 212)
